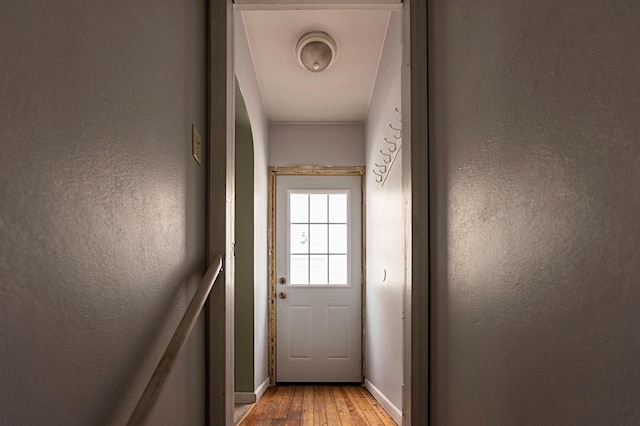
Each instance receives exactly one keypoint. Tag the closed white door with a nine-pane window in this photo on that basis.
(318, 279)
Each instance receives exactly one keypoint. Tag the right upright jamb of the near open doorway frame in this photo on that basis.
(415, 183)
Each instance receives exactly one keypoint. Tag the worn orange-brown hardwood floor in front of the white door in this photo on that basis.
(317, 405)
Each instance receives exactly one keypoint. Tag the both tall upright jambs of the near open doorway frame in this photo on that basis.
(416, 311)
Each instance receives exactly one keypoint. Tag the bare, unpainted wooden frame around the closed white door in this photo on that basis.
(274, 172)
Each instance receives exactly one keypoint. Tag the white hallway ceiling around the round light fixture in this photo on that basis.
(341, 93)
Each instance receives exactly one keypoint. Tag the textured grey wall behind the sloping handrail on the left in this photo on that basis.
(102, 211)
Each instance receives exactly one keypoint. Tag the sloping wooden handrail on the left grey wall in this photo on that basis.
(159, 377)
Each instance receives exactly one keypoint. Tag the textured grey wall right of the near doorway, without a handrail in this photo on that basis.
(535, 170)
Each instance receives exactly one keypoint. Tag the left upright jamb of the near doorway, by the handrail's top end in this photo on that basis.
(219, 357)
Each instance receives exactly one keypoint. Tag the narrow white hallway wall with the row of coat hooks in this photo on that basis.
(385, 249)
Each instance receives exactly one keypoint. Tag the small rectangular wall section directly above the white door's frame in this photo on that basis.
(316, 144)
